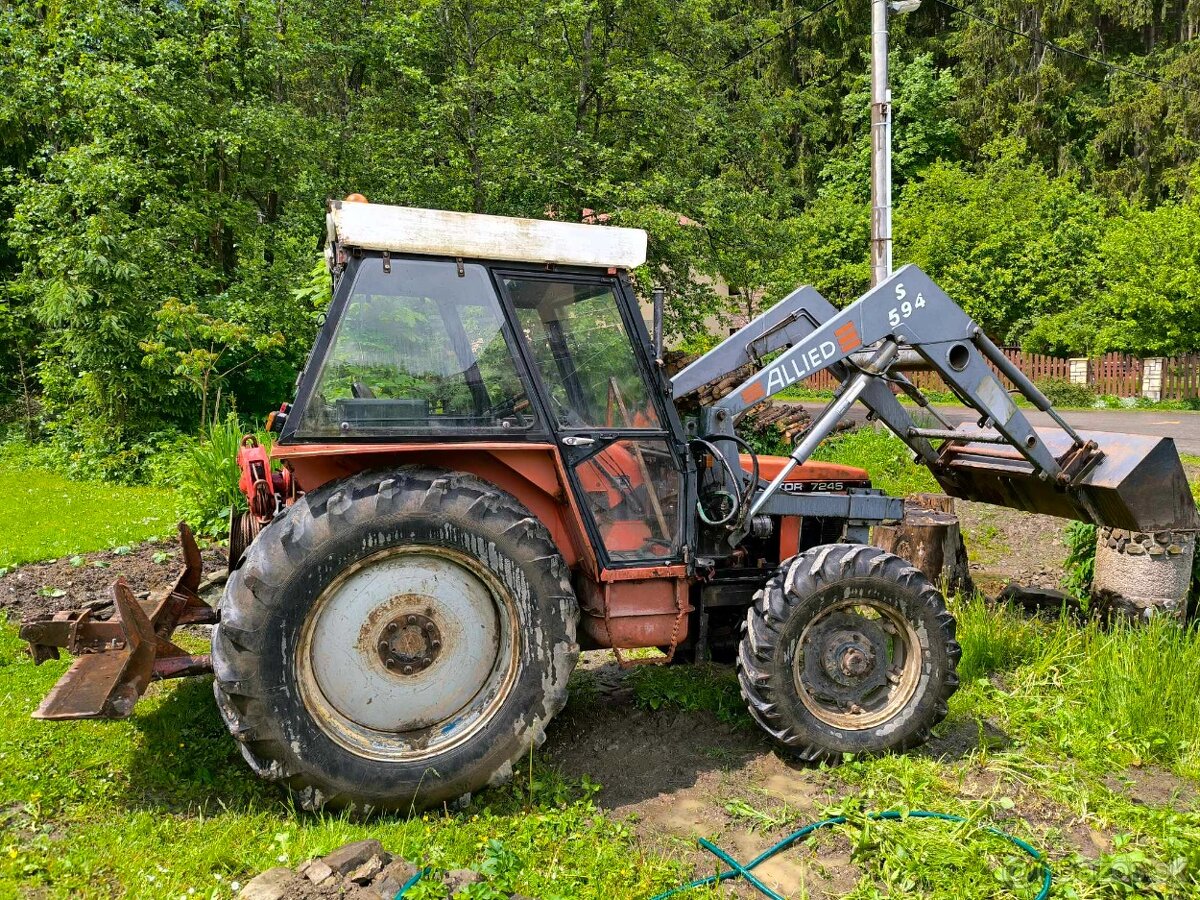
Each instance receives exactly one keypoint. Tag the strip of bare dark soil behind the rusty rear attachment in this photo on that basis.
(45, 589)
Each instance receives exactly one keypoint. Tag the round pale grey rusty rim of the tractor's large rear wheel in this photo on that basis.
(409, 653)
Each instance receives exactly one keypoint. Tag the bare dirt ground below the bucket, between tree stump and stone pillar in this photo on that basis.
(1009, 545)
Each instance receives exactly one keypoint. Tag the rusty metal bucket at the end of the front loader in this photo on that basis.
(1137, 484)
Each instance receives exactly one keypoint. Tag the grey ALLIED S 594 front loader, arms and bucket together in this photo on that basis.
(1121, 481)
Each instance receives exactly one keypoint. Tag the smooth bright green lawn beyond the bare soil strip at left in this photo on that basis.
(44, 515)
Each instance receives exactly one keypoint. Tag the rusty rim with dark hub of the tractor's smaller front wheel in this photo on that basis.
(857, 664)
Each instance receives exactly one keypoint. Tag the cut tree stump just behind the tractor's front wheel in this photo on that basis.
(931, 539)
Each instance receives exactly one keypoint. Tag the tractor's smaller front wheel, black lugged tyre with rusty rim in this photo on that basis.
(848, 650)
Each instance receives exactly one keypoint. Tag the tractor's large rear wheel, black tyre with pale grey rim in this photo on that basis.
(395, 640)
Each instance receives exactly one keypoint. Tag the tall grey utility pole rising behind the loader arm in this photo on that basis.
(881, 137)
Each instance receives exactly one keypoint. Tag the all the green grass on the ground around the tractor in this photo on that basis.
(1063, 722)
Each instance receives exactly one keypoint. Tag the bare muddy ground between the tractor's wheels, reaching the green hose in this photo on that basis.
(681, 776)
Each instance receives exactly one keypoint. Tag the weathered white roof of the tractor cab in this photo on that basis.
(404, 230)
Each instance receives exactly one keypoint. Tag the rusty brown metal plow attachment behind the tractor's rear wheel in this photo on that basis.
(118, 658)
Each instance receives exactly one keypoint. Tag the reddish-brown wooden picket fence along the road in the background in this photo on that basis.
(1114, 374)
